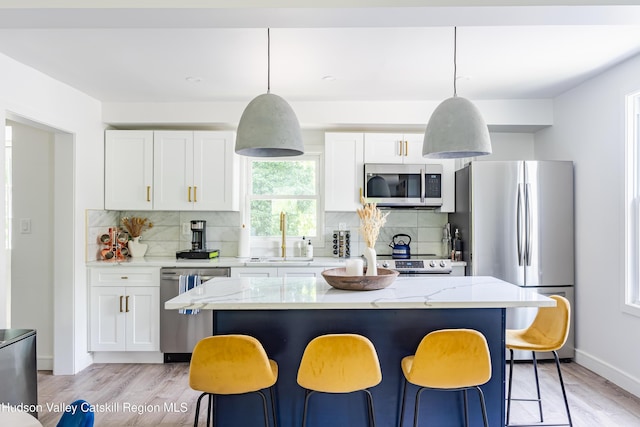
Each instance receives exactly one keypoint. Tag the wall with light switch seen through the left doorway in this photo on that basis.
(32, 251)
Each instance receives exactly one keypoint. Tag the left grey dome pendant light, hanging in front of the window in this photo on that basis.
(268, 126)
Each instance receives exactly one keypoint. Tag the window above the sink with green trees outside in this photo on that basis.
(290, 186)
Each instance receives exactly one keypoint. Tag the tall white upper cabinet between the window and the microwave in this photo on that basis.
(344, 171)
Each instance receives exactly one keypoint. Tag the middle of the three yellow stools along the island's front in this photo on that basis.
(339, 363)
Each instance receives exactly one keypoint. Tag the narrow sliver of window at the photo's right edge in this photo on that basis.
(632, 209)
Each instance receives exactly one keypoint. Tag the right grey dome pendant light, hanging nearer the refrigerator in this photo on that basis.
(456, 127)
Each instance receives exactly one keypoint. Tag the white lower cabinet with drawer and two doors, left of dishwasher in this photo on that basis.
(124, 309)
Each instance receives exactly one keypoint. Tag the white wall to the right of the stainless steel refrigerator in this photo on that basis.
(590, 130)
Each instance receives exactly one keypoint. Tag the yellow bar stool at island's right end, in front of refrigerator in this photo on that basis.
(548, 332)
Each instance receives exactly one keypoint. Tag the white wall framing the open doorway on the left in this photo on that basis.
(27, 93)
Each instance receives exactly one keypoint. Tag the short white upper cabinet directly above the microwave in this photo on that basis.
(393, 148)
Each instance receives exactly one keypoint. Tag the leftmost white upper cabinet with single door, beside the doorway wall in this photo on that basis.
(128, 170)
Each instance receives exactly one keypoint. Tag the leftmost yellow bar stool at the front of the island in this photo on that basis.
(232, 365)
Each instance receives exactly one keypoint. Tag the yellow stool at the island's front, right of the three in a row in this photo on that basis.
(449, 360)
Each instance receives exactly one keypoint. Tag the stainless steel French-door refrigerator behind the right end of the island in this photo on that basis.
(516, 222)
